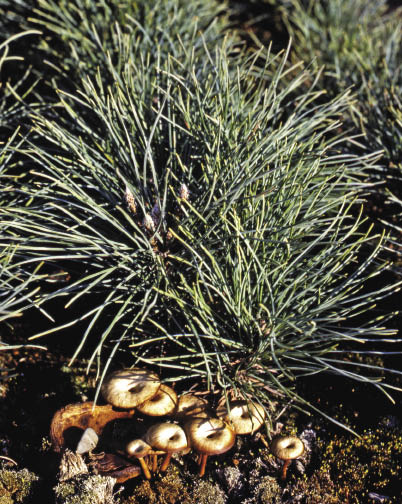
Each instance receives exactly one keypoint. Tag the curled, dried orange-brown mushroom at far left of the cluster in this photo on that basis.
(81, 416)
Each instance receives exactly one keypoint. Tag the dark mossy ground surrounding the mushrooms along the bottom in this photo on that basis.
(337, 468)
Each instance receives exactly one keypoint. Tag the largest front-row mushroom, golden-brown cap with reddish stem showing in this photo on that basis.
(209, 436)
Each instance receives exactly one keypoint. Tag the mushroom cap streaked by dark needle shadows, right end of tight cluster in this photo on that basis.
(244, 416)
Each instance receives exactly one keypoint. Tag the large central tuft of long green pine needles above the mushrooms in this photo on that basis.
(201, 204)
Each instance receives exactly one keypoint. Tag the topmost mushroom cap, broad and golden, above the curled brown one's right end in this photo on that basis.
(127, 388)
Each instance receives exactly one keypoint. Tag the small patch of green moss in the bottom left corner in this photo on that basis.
(16, 486)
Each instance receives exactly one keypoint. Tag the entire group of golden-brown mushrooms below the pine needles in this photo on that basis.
(190, 426)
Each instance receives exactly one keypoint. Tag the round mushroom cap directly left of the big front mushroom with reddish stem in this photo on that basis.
(168, 437)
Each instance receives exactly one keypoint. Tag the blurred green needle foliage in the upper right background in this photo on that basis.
(359, 44)
